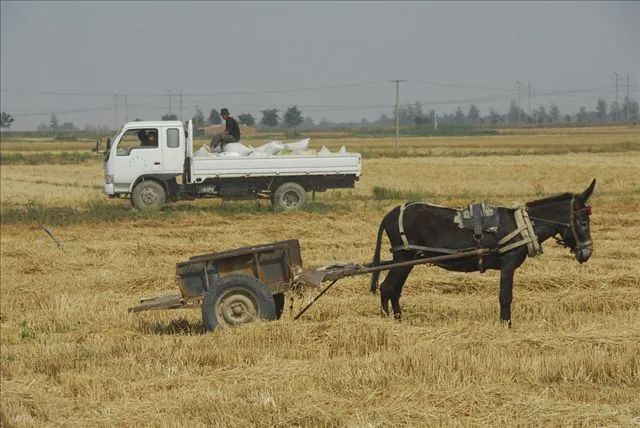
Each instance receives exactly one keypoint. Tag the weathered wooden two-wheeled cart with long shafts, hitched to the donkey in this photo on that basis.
(242, 285)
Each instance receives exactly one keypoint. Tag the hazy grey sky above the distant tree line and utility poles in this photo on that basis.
(71, 57)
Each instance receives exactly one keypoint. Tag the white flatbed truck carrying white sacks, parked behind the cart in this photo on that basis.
(153, 171)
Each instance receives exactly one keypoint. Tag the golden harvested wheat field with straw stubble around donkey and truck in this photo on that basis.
(72, 355)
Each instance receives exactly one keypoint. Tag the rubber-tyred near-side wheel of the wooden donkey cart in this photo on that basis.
(234, 300)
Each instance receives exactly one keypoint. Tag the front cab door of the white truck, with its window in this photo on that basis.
(137, 153)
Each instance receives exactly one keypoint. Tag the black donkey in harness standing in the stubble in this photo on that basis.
(429, 230)
